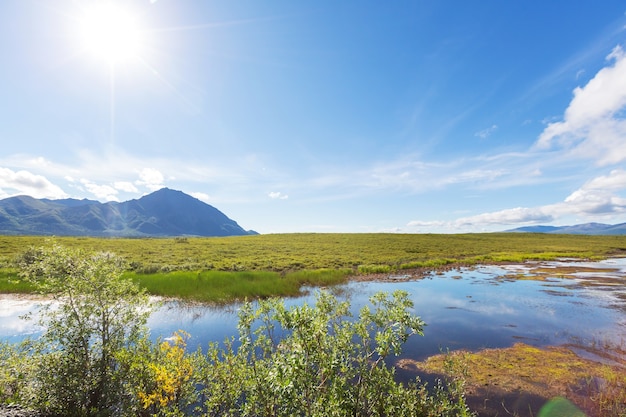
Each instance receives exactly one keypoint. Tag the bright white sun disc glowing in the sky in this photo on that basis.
(111, 33)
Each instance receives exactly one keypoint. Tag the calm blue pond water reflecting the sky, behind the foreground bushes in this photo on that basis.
(477, 308)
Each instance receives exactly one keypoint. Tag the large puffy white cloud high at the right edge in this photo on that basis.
(594, 125)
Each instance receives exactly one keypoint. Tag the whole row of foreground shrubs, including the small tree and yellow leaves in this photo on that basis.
(95, 357)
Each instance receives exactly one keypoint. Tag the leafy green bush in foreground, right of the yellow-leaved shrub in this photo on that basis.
(318, 361)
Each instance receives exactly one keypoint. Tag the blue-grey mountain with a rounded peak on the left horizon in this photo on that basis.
(163, 213)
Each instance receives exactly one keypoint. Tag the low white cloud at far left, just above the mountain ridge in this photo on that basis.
(25, 182)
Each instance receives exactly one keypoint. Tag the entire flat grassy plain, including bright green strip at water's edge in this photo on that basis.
(222, 269)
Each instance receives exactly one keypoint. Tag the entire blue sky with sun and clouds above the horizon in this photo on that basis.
(421, 116)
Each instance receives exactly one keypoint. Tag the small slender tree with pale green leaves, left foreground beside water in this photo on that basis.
(97, 314)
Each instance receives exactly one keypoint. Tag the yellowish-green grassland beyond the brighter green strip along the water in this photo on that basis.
(300, 251)
